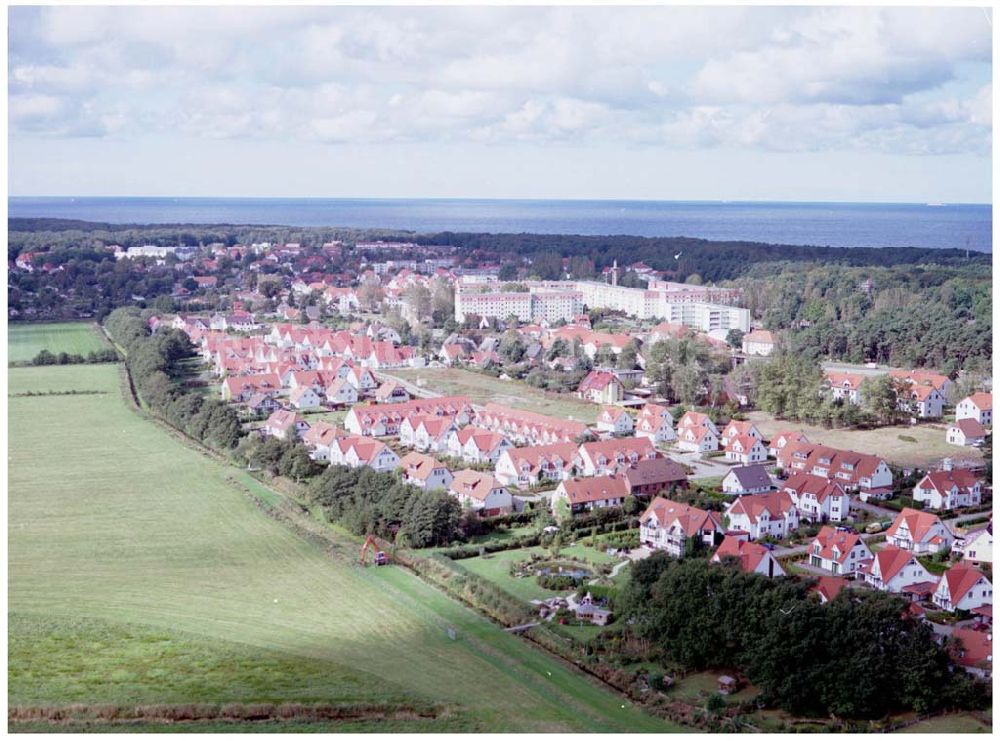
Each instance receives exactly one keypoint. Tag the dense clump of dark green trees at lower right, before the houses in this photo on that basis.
(859, 656)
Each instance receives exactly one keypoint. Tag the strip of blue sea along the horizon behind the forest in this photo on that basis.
(825, 224)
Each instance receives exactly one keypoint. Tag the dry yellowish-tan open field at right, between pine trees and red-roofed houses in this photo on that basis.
(926, 447)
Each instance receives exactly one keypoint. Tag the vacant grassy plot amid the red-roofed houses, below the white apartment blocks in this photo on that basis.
(481, 389)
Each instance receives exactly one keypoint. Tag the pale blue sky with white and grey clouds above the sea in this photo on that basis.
(667, 103)
